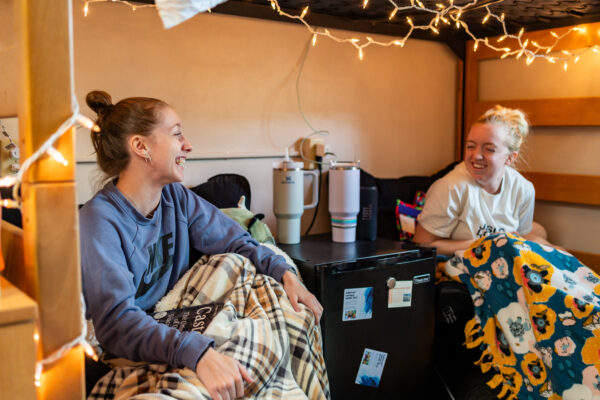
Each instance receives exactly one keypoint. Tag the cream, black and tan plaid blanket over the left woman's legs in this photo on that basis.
(280, 348)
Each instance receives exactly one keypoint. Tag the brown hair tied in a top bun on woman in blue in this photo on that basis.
(137, 115)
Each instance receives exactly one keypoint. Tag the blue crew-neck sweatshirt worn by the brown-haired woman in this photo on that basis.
(129, 262)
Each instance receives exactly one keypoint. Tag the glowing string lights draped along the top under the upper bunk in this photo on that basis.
(446, 13)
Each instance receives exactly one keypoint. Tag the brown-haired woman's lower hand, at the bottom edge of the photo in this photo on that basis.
(222, 376)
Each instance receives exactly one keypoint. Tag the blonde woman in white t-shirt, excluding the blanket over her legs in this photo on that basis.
(483, 194)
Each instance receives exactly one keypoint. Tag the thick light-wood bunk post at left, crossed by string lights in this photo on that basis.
(50, 221)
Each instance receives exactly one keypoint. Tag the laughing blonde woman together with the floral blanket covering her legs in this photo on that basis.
(537, 308)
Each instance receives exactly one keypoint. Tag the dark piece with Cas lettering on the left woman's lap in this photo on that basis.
(194, 318)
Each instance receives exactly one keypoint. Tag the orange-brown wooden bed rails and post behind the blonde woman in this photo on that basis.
(582, 111)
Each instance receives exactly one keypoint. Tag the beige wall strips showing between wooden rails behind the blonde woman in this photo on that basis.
(566, 150)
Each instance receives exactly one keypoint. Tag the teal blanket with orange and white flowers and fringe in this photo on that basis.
(537, 318)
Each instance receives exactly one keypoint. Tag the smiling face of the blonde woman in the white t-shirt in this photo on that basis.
(487, 154)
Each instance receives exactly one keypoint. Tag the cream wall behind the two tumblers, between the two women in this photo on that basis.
(232, 80)
